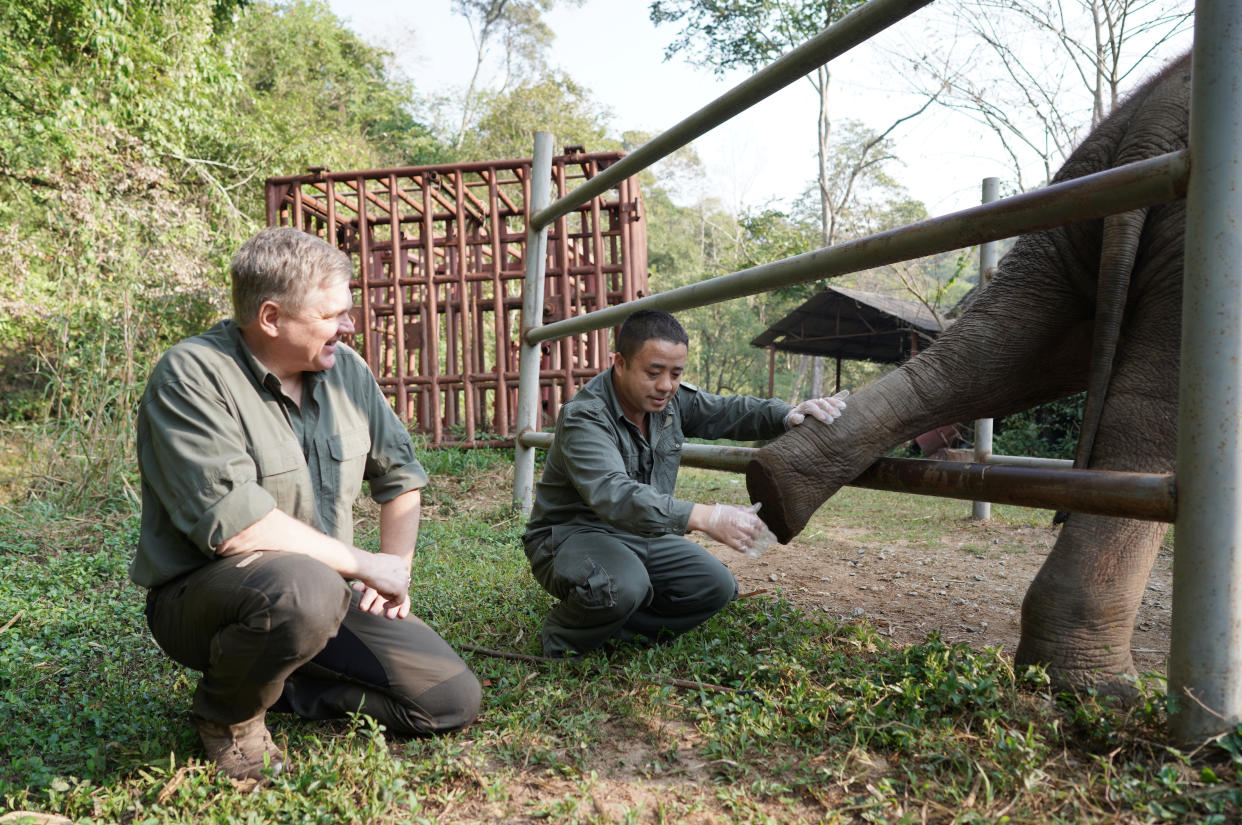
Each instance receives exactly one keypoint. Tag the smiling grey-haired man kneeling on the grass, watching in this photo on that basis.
(254, 440)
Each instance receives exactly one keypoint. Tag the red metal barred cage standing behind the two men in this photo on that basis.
(440, 260)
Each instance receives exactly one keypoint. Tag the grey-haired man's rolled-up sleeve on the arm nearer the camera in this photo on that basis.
(194, 460)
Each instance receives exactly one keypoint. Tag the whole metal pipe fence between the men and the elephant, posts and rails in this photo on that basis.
(1207, 654)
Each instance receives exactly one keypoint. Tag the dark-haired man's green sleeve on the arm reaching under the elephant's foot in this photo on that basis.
(598, 473)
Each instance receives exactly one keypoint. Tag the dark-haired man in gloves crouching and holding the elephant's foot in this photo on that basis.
(607, 536)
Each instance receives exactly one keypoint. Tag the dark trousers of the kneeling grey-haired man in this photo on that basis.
(284, 632)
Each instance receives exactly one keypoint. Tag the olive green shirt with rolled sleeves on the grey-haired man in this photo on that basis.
(220, 445)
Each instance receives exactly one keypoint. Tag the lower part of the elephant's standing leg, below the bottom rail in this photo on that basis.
(1079, 614)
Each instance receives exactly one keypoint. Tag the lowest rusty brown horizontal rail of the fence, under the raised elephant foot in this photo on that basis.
(1128, 495)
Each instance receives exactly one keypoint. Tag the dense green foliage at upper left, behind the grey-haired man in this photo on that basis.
(134, 140)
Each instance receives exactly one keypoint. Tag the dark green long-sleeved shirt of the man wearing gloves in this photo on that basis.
(603, 473)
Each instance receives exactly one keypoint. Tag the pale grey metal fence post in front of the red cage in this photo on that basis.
(532, 316)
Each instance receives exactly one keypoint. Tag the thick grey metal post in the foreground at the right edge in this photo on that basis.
(1205, 659)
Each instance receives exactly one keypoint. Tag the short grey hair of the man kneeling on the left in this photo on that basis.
(283, 264)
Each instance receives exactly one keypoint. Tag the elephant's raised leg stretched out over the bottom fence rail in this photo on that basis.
(1019, 345)
